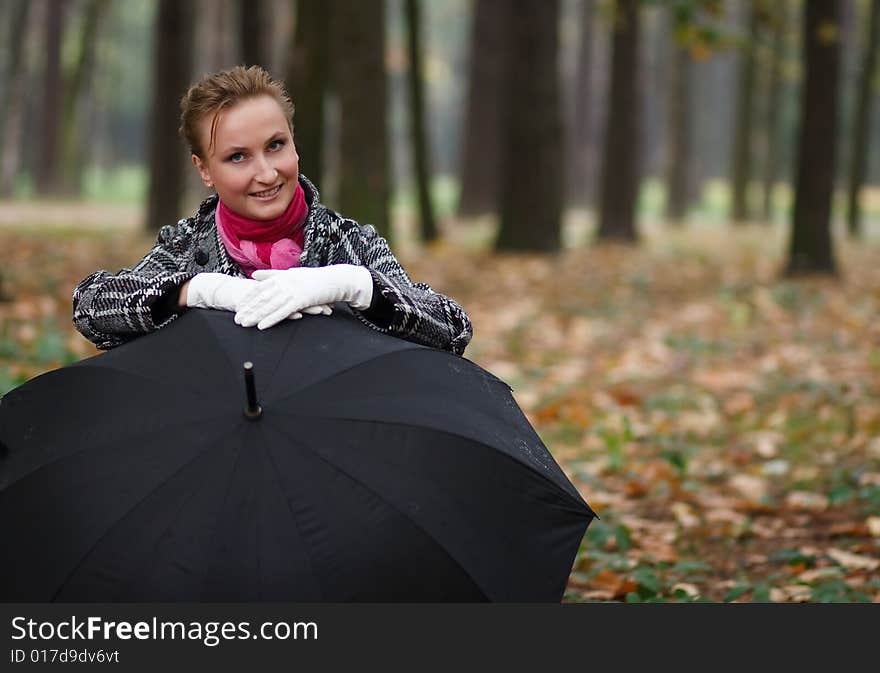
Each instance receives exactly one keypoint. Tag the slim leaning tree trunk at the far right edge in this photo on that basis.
(861, 136)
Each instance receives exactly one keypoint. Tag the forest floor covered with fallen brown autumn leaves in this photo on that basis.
(723, 422)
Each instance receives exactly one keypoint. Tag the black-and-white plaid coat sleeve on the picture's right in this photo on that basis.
(417, 313)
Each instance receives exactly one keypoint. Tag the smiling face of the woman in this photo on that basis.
(253, 163)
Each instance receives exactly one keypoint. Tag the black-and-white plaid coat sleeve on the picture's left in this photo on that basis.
(110, 309)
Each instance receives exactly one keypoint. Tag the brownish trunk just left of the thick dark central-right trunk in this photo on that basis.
(483, 118)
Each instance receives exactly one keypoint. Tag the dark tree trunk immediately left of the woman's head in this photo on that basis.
(172, 63)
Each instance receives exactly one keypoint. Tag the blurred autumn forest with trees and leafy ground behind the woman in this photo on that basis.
(662, 216)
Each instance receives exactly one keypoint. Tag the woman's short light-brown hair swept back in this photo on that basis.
(220, 90)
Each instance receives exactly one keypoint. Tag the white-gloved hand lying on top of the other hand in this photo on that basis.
(281, 294)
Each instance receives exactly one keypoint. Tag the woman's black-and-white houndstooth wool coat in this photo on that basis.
(111, 309)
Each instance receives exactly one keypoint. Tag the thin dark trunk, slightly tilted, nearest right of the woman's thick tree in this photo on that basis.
(418, 123)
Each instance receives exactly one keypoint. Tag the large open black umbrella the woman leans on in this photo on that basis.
(375, 469)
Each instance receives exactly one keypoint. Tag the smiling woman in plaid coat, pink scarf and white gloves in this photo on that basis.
(263, 246)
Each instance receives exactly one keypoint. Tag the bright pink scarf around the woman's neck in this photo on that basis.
(264, 244)
